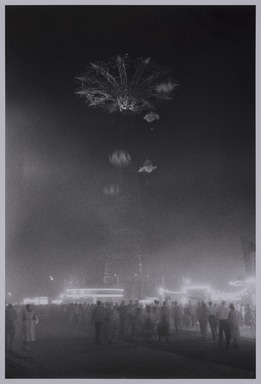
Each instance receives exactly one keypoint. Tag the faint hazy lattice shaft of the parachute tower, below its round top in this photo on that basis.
(124, 259)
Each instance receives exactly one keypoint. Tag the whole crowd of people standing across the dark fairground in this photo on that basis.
(133, 321)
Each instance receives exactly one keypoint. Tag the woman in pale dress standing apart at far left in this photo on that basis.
(28, 328)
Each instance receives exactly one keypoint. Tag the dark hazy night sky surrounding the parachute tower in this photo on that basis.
(199, 200)
